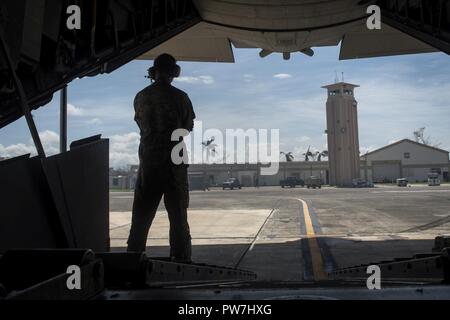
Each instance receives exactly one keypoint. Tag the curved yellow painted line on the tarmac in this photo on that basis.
(314, 249)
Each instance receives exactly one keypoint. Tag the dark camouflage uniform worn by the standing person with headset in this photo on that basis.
(160, 109)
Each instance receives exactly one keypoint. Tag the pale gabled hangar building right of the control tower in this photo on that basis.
(405, 159)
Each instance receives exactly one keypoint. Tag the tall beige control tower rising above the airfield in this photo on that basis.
(342, 131)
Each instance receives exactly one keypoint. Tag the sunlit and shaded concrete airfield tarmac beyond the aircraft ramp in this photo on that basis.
(299, 234)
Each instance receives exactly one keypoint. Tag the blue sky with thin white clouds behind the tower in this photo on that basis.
(397, 95)
